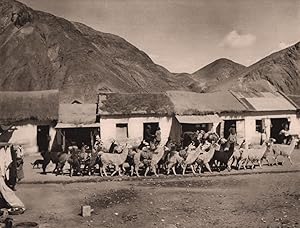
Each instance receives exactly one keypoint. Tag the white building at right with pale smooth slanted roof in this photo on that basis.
(266, 111)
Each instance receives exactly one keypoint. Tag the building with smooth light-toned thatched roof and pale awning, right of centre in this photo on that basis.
(205, 111)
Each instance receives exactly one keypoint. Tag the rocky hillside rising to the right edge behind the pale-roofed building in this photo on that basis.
(280, 70)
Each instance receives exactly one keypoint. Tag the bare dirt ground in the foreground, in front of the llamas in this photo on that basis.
(261, 200)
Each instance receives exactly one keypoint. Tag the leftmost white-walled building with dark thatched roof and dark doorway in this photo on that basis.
(28, 118)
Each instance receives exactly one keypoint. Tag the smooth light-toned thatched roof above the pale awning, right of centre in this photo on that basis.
(190, 103)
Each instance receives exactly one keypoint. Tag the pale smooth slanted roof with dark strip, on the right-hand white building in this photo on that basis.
(265, 101)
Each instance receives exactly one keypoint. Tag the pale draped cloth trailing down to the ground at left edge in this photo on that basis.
(15, 204)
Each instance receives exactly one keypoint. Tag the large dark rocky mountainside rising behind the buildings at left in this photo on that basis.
(41, 51)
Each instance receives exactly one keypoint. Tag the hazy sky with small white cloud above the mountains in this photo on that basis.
(185, 35)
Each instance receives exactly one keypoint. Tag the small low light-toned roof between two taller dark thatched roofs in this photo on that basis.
(77, 113)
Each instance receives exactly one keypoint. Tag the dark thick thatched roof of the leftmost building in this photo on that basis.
(34, 105)
